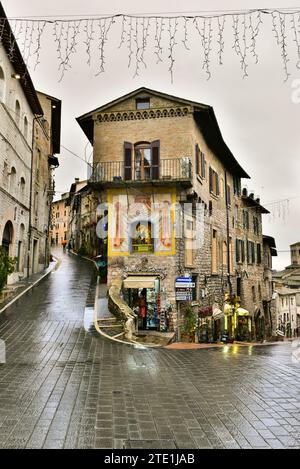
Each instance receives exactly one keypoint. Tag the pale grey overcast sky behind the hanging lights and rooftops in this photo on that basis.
(258, 118)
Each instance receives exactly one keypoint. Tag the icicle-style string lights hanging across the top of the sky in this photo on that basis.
(136, 30)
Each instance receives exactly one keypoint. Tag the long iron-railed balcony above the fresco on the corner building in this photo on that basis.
(168, 172)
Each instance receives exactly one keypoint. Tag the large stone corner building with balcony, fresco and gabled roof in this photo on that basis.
(170, 190)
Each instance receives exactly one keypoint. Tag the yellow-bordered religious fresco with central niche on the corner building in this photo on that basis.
(141, 222)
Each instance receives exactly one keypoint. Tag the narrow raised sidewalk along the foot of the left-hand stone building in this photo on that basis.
(15, 291)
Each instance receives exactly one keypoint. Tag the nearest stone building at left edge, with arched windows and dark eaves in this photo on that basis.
(19, 106)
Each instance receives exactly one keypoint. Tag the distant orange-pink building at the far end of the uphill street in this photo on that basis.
(59, 221)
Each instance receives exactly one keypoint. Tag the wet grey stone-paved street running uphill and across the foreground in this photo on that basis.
(63, 386)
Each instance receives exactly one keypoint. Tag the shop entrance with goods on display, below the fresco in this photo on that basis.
(142, 294)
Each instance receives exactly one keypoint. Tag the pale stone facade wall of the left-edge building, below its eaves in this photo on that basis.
(15, 152)
